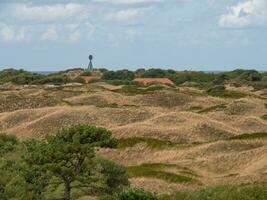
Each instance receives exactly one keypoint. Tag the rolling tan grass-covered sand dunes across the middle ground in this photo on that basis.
(180, 131)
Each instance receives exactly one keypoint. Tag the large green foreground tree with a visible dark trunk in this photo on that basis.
(69, 154)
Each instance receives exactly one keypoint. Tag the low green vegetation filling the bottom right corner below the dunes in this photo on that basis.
(250, 192)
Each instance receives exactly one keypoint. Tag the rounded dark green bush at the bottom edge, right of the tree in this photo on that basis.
(135, 194)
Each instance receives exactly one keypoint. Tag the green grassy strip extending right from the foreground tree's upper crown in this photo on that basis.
(150, 142)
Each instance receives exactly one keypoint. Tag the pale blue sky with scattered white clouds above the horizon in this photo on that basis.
(211, 35)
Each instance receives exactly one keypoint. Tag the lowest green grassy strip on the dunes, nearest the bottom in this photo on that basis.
(157, 171)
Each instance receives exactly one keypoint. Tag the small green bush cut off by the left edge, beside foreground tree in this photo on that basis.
(7, 143)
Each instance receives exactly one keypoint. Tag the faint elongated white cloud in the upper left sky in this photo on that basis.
(47, 13)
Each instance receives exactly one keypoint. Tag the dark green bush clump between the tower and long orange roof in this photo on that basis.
(118, 75)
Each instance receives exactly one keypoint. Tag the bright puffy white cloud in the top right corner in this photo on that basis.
(245, 14)
